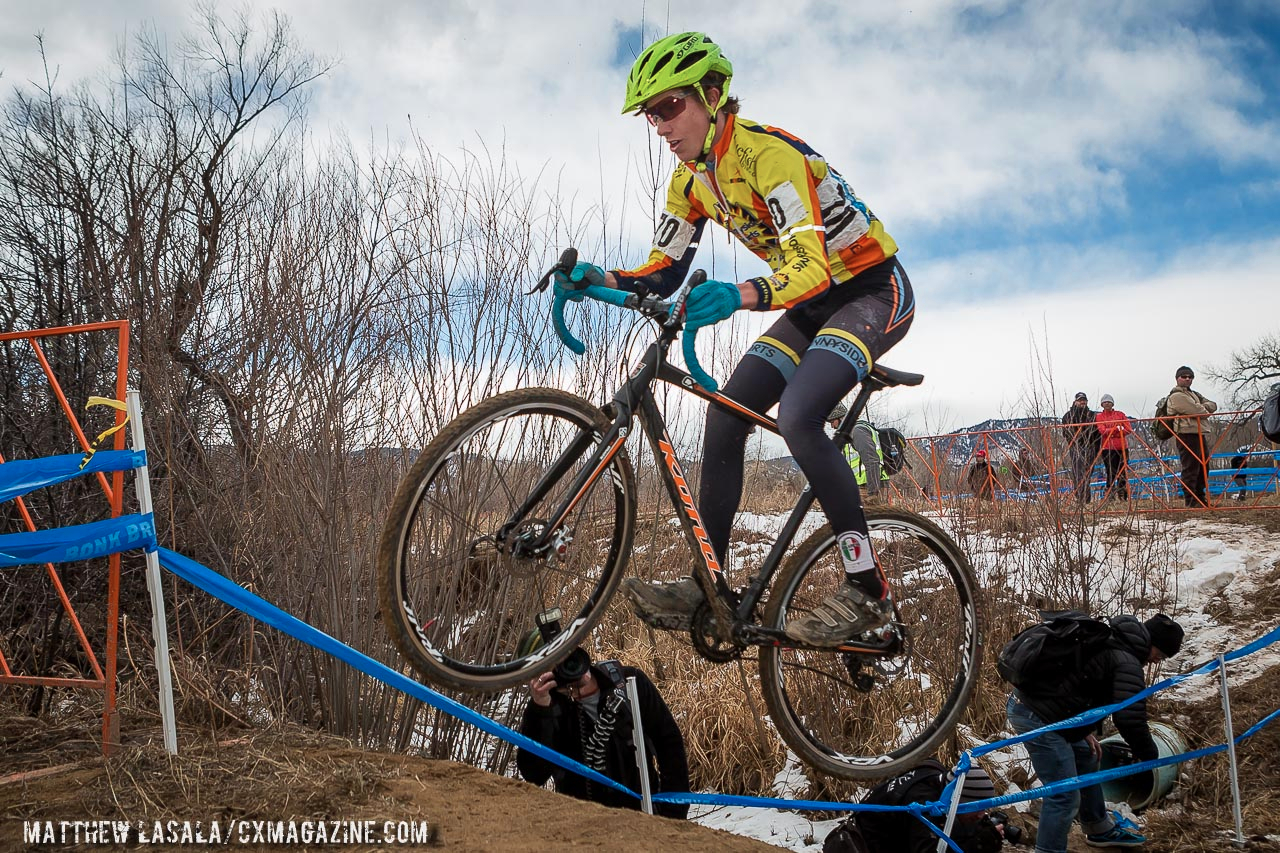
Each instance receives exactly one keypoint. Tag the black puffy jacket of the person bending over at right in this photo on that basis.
(1112, 677)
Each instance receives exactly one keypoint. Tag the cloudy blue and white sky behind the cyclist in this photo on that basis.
(1086, 191)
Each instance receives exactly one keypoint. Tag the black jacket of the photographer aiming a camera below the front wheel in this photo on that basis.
(559, 727)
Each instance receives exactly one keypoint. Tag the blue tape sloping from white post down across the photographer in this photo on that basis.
(262, 610)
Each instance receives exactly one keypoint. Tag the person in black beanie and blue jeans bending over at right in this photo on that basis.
(1112, 677)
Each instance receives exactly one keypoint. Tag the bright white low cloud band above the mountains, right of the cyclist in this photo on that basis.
(1124, 336)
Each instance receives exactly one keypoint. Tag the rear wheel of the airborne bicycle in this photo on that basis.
(862, 717)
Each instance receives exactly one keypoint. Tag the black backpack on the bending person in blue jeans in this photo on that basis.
(1041, 658)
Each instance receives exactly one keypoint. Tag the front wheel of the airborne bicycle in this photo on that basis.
(459, 580)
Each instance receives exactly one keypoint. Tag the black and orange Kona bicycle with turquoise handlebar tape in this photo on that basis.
(528, 503)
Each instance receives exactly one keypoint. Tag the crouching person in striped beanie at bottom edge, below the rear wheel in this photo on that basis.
(902, 833)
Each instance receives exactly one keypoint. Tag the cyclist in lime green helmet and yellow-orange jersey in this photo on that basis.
(845, 302)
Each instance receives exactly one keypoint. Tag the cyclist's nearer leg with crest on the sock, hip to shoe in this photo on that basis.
(840, 357)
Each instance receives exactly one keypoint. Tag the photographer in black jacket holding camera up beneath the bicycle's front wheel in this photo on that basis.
(592, 718)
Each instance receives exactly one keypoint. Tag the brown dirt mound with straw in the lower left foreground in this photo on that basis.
(296, 776)
